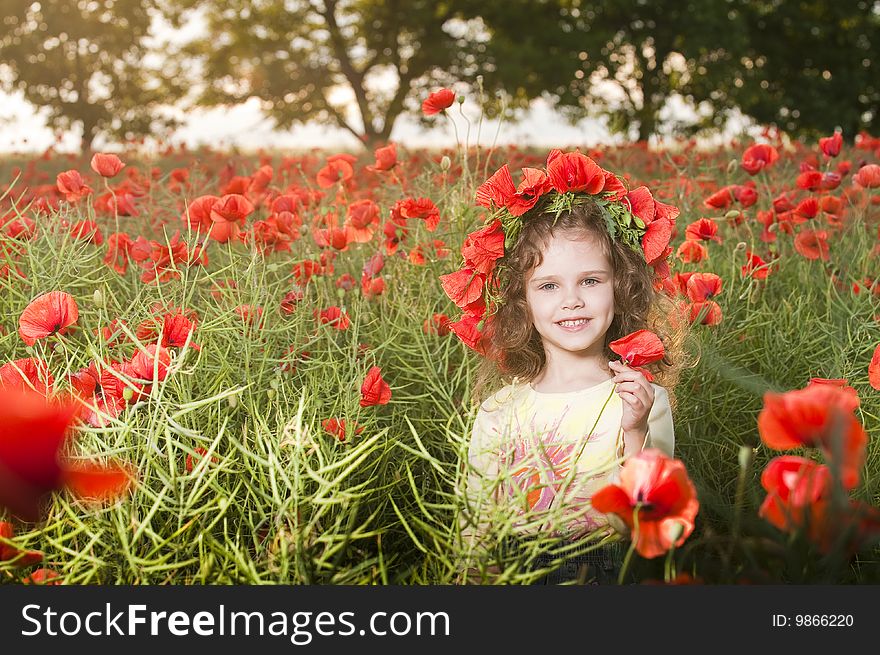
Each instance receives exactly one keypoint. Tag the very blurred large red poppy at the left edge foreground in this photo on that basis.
(33, 433)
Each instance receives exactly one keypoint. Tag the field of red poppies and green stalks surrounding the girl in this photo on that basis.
(258, 361)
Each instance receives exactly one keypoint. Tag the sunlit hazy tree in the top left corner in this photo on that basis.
(84, 62)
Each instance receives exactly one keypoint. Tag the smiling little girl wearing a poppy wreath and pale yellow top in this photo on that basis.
(569, 262)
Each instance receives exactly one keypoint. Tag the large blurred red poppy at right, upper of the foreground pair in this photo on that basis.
(818, 416)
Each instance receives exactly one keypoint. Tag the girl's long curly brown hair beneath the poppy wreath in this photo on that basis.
(513, 345)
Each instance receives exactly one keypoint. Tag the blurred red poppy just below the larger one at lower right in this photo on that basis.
(793, 485)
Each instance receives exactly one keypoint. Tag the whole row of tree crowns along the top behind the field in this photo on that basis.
(805, 65)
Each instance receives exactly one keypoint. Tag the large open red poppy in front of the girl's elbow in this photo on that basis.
(664, 495)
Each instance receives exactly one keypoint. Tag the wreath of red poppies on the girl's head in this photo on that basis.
(633, 217)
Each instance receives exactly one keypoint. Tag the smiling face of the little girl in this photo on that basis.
(574, 282)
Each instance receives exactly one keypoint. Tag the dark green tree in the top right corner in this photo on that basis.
(809, 66)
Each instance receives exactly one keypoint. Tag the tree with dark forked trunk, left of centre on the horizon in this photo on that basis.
(306, 61)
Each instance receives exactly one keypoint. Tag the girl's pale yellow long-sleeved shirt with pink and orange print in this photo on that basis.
(543, 455)
